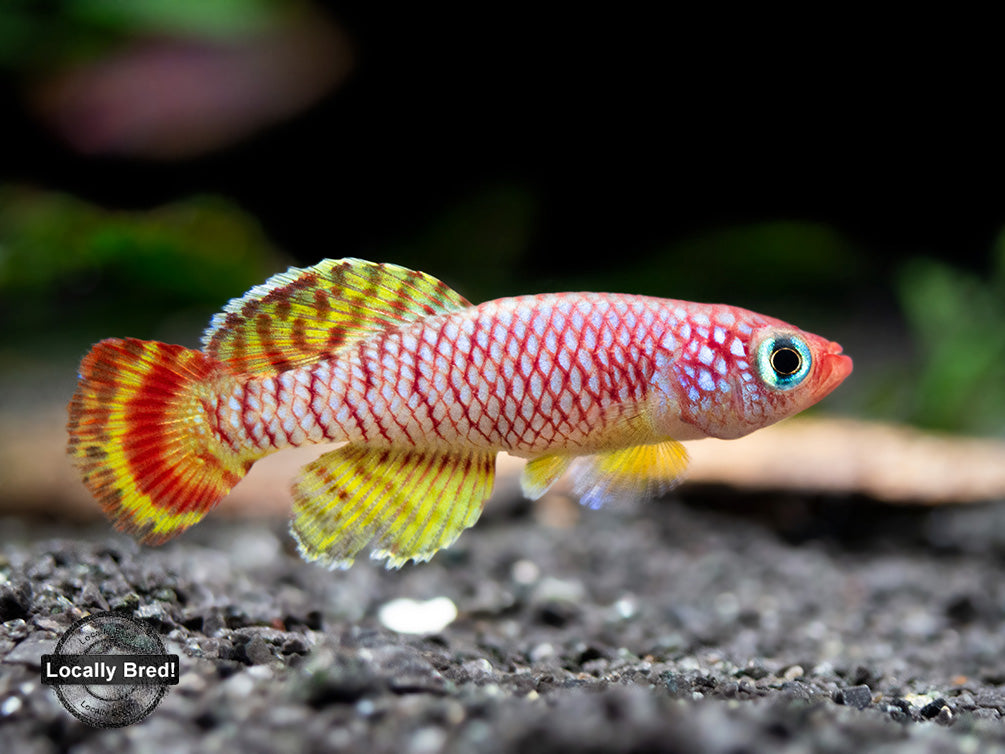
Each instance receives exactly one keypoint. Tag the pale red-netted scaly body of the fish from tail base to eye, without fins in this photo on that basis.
(534, 374)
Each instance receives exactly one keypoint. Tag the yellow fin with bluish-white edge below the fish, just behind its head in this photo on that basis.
(636, 473)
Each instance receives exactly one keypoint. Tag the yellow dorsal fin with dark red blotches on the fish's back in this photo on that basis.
(303, 316)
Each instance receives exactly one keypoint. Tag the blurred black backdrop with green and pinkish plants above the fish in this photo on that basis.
(161, 158)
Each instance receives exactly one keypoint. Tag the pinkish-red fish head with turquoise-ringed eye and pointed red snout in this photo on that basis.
(763, 371)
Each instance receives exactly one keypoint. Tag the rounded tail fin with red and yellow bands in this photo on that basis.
(142, 435)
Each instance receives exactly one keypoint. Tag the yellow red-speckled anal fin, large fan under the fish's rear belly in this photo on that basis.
(406, 504)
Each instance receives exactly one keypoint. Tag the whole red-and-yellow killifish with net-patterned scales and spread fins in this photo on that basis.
(425, 390)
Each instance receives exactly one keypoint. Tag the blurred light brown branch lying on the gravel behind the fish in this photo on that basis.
(834, 457)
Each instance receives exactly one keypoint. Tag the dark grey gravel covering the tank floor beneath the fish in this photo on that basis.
(713, 625)
